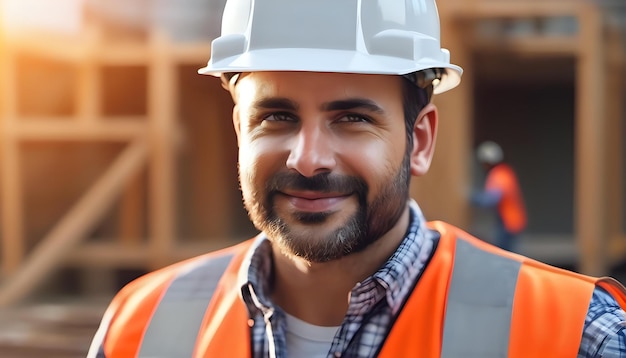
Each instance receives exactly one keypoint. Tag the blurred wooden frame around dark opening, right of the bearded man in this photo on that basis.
(598, 153)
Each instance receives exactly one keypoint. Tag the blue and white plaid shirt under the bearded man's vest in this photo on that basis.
(376, 300)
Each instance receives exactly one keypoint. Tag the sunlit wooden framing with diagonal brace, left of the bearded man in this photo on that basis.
(150, 143)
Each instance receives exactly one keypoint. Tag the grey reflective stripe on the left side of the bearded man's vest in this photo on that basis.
(174, 326)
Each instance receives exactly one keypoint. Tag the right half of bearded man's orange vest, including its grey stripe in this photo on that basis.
(475, 300)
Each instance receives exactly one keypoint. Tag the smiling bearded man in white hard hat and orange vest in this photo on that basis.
(333, 116)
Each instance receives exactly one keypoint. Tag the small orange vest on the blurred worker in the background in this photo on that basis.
(511, 207)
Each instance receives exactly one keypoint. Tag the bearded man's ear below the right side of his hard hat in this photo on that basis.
(424, 135)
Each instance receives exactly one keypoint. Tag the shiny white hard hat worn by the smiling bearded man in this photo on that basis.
(352, 36)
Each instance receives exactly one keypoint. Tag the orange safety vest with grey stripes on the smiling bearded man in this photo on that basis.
(472, 300)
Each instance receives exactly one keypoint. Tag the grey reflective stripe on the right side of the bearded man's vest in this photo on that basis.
(480, 304)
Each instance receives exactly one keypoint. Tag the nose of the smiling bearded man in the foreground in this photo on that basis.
(312, 151)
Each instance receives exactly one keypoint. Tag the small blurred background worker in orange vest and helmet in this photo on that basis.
(502, 193)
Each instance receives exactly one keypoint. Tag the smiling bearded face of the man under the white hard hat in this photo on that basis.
(322, 159)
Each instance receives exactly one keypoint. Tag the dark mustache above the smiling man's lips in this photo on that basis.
(323, 182)
